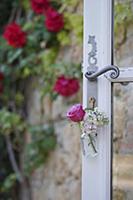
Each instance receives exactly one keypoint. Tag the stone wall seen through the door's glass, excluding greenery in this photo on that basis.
(123, 126)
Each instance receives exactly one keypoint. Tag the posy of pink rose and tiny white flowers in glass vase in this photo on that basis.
(90, 121)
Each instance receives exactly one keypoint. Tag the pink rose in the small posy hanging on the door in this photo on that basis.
(76, 113)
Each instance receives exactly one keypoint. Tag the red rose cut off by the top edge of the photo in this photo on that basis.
(39, 6)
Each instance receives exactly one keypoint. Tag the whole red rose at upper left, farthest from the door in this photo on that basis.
(14, 35)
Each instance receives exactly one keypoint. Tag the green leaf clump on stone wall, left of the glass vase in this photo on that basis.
(43, 141)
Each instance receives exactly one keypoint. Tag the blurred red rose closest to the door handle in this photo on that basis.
(66, 86)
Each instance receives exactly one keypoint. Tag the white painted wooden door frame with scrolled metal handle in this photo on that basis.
(98, 23)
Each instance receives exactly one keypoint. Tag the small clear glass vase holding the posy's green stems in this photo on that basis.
(89, 144)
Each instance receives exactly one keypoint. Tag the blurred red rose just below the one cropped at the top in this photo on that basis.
(54, 21)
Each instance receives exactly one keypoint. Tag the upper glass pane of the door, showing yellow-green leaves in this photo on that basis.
(123, 28)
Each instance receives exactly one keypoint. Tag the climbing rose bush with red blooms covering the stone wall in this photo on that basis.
(32, 52)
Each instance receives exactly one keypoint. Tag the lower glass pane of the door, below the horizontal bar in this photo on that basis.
(122, 142)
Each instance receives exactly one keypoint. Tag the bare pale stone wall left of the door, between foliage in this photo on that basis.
(60, 177)
